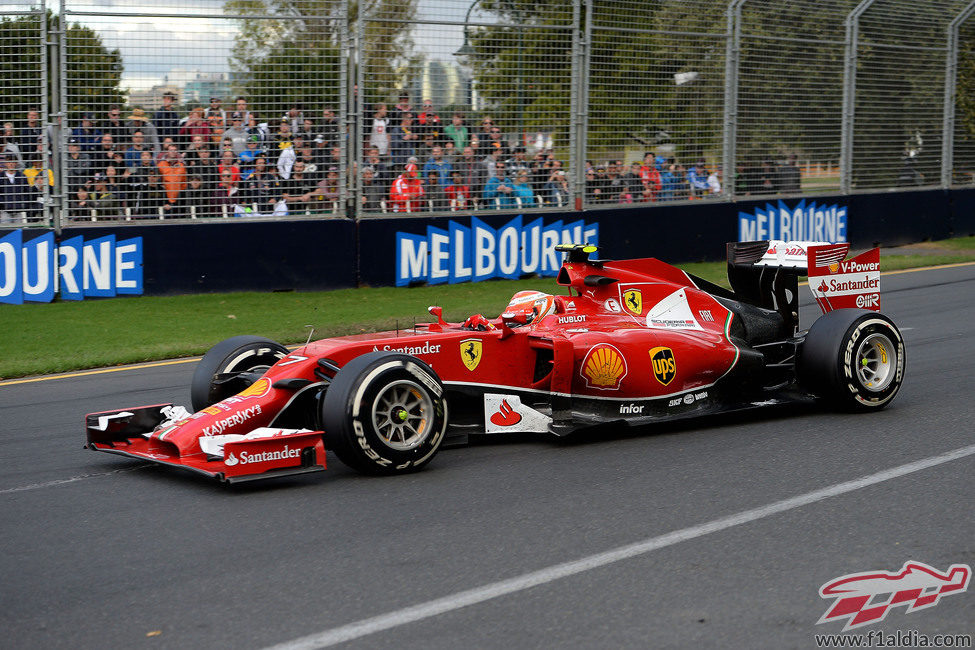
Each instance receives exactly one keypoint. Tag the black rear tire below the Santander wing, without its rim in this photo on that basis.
(828, 357)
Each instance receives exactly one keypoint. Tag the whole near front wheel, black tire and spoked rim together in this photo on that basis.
(384, 413)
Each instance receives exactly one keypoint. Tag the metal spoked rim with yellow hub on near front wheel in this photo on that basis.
(401, 415)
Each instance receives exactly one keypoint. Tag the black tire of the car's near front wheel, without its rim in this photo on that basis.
(347, 413)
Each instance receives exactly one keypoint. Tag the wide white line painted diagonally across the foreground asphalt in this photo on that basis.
(461, 599)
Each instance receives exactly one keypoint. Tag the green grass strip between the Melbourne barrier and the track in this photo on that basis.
(63, 336)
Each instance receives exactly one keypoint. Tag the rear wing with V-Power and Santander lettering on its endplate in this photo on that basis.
(766, 273)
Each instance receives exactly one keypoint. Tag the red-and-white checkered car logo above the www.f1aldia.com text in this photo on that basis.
(866, 598)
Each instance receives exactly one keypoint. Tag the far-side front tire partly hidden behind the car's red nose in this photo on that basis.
(236, 354)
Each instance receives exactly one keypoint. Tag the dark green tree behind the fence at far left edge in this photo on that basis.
(93, 71)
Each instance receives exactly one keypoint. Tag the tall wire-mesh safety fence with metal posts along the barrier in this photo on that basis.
(284, 109)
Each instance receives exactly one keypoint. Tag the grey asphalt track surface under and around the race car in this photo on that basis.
(712, 534)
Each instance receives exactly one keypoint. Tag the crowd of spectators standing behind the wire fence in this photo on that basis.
(222, 161)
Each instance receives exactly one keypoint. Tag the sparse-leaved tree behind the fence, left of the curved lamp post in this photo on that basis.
(297, 58)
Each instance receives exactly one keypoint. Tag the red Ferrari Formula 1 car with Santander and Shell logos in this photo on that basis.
(634, 342)
